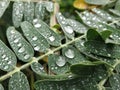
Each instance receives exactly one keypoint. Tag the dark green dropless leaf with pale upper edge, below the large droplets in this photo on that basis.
(84, 68)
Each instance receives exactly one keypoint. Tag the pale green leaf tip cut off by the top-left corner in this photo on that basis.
(3, 6)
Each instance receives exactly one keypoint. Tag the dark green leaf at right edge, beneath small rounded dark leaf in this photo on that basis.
(102, 49)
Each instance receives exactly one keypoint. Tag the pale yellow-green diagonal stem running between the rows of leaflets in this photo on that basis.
(17, 69)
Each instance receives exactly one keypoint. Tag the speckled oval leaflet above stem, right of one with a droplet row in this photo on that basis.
(38, 42)
